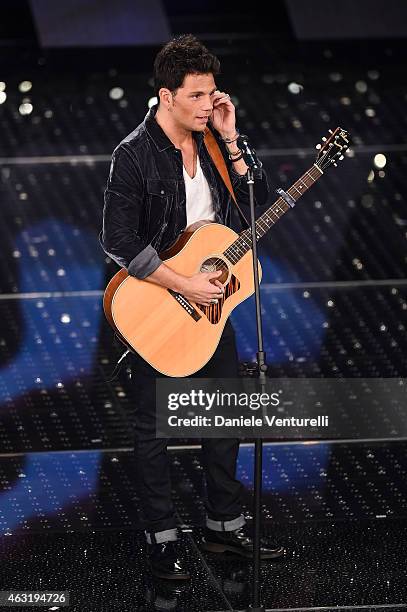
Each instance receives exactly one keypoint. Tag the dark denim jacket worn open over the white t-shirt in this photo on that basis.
(145, 204)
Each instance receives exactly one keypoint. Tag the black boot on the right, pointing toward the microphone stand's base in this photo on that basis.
(237, 542)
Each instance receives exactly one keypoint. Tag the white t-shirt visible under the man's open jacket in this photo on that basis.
(198, 194)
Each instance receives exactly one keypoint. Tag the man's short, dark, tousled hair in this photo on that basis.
(181, 56)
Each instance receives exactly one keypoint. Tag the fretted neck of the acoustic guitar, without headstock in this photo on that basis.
(243, 244)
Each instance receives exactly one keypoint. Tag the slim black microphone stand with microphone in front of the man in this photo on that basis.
(253, 163)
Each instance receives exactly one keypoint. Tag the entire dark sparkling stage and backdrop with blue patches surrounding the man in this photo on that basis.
(75, 78)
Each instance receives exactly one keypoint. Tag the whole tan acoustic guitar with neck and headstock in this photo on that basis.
(175, 336)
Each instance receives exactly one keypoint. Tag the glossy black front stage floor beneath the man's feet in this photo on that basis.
(70, 521)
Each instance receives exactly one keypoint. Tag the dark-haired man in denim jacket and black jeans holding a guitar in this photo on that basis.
(162, 180)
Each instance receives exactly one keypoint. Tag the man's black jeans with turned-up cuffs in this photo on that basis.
(152, 462)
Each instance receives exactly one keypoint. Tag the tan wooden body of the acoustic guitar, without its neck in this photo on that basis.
(174, 336)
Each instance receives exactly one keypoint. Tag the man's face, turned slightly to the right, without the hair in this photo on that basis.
(192, 103)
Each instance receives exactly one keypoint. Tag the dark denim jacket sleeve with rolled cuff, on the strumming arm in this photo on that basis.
(121, 235)
